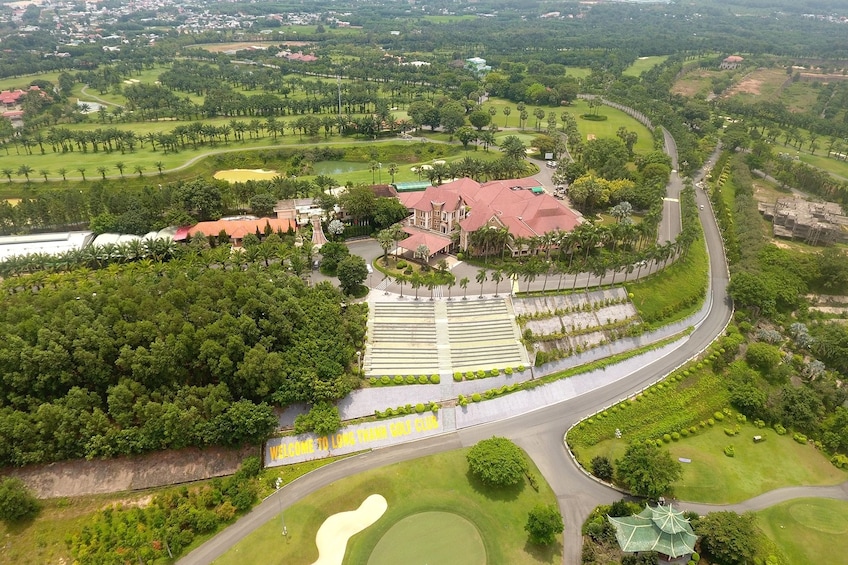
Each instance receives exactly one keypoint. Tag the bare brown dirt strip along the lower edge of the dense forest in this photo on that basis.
(81, 477)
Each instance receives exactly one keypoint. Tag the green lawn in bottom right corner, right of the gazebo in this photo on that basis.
(808, 530)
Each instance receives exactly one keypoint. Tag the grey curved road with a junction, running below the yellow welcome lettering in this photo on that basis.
(540, 433)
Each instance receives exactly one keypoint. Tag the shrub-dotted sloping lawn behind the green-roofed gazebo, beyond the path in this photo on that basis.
(713, 477)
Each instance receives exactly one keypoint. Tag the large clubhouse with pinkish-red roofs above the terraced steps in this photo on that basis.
(519, 205)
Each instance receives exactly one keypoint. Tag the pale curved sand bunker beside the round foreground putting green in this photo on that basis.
(336, 530)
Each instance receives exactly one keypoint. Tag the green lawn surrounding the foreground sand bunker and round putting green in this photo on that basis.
(434, 483)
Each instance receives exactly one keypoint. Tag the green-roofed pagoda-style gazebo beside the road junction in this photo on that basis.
(661, 529)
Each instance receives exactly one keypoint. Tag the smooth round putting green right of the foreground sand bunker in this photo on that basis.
(430, 537)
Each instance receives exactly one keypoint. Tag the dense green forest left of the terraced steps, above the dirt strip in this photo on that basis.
(151, 356)
